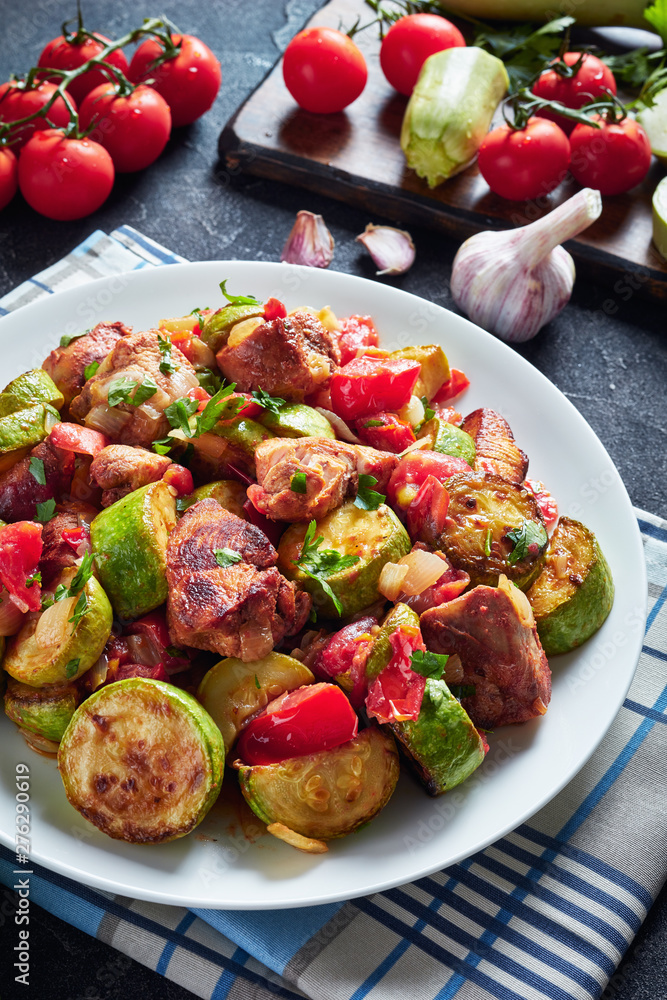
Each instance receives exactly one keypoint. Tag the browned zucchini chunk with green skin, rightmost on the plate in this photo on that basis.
(574, 593)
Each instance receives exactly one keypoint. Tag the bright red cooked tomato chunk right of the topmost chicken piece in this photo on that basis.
(368, 385)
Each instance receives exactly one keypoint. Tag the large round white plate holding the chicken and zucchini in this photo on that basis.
(414, 835)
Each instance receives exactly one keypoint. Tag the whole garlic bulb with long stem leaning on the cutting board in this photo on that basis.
(514, 282)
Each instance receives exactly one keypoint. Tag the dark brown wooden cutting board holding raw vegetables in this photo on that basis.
(355, 156)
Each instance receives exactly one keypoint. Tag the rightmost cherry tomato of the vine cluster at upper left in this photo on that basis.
(189, 82)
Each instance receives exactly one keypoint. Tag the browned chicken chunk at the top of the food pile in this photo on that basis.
(290, 358)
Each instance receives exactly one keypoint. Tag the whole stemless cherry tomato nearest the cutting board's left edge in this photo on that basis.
(324, 70)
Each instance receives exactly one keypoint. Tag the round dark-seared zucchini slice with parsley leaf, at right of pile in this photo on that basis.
(493, 527)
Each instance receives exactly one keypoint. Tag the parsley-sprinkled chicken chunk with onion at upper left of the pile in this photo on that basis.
(131, 361)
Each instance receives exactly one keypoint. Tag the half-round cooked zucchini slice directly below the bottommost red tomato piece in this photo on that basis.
(328, 794)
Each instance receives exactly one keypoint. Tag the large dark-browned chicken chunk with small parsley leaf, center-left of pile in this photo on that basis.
(242, 608)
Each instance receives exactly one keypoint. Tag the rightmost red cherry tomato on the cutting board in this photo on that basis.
(613, 158)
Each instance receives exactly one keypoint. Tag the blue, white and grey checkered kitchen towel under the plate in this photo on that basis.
(546, 912)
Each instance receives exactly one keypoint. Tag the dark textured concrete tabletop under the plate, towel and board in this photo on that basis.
(606, 351)
